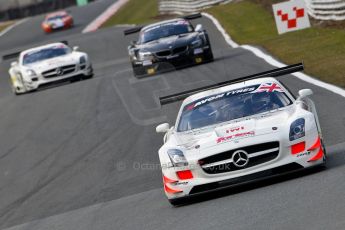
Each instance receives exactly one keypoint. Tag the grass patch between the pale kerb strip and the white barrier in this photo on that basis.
(135, 12)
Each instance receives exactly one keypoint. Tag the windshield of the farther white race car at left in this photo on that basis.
(44, 54)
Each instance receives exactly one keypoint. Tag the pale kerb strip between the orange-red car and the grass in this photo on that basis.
(98, 22)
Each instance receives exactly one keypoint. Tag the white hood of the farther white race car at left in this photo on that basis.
(53, 63)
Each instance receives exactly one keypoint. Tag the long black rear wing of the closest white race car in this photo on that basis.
(271, 73)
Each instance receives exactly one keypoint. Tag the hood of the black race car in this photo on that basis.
(168, 43)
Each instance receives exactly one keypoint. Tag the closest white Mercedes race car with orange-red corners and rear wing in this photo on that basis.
(246, 130)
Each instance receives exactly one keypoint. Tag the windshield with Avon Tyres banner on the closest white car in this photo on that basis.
(230, 106)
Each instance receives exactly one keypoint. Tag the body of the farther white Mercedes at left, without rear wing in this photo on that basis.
(46, 65)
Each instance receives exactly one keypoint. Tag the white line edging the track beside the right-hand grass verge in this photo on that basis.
(272, 61)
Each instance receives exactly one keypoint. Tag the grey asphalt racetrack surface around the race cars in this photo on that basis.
(84, 155)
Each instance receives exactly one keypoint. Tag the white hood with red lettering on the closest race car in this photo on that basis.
(231, 133)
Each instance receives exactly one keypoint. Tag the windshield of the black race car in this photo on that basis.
(165, 30)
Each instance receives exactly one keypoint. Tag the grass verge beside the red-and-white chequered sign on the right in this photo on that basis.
(321, 49)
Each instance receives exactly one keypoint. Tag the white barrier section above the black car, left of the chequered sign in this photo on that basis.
(186, 6)
